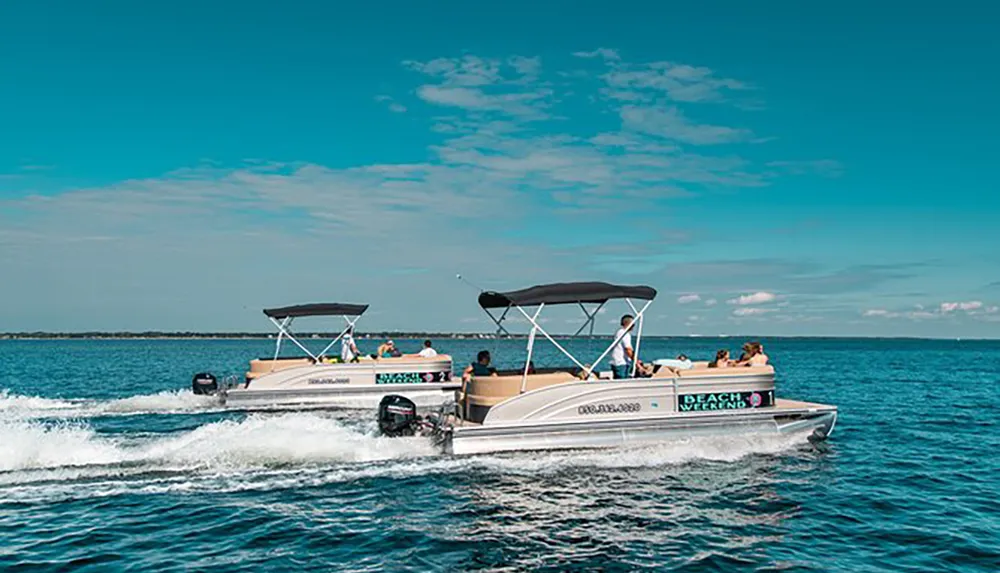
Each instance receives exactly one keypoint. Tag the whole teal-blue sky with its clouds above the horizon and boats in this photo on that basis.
(810, 169)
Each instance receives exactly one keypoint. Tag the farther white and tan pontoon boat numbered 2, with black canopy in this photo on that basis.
(314, 379)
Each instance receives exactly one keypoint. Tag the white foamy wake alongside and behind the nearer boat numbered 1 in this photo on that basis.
(60, 459)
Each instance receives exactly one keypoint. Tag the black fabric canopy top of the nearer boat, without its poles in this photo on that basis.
(564, 293)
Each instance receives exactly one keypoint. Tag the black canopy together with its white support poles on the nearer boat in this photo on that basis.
(567, 293)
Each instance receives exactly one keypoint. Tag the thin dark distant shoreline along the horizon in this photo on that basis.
(156, 335)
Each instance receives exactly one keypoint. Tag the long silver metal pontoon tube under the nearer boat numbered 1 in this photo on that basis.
(815, 420)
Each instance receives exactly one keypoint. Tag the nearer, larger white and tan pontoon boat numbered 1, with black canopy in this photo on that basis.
(558, 409)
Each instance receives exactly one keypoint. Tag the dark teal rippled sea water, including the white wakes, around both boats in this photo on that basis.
(108, 462)
